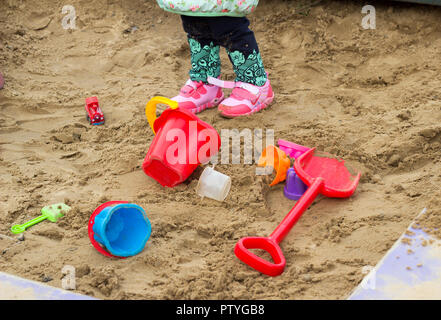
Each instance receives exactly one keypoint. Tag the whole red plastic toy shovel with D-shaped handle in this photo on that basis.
(323, 174)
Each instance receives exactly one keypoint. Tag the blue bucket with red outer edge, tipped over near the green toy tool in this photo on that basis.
(123, 229)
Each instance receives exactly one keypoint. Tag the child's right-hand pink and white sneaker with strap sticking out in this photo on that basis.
(245, 98)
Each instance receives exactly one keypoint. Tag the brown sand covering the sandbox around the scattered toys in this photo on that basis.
(372, 97)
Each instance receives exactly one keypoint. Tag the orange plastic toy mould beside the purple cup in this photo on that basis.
(273, 156)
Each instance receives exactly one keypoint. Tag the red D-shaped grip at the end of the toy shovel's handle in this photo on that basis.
(242, 251)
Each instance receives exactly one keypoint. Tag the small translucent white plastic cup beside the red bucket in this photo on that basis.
(213, 184)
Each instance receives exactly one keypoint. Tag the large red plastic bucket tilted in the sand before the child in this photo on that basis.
(182, 142)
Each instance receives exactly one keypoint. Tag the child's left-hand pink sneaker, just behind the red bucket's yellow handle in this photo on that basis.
(198, 96)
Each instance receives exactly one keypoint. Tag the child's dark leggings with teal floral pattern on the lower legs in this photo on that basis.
(207, 34)
